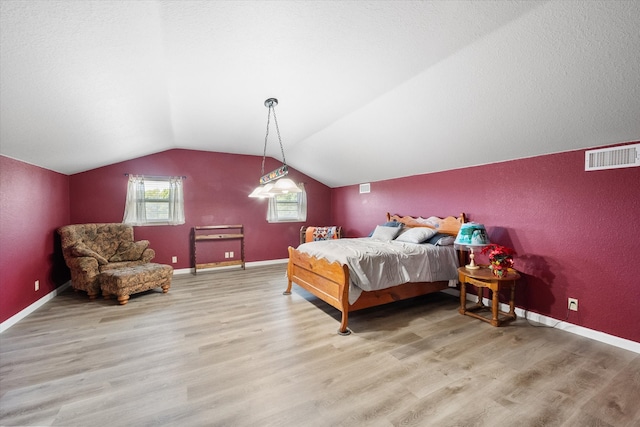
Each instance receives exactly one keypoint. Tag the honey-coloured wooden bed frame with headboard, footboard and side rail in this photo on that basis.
(330, 281)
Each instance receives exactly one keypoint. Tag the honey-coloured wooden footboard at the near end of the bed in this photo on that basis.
(327, 281)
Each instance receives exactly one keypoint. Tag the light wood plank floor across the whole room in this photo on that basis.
(226, 348)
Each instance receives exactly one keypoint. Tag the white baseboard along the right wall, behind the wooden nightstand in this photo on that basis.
(560, 324)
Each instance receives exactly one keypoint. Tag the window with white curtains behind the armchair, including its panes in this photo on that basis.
(154, 201)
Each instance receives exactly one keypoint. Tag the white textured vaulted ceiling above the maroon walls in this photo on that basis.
(368, 90)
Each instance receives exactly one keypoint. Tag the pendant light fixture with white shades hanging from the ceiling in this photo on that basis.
(274, 182)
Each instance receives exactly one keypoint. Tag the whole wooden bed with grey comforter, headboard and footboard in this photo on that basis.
(330, 277)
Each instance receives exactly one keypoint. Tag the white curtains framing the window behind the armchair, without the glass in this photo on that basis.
(135, 212)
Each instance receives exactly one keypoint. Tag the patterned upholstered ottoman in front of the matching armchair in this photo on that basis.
(123, 282)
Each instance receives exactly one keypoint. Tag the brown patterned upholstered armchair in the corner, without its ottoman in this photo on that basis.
(91, 249)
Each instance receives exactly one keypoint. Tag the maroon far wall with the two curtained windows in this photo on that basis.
(215, 192)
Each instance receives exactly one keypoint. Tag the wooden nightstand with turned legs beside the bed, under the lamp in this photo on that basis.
(484, 278)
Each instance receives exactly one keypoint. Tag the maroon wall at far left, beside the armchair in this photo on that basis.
(33, 203)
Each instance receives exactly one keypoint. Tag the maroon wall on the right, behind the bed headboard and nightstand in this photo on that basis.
(576, 233)
